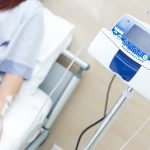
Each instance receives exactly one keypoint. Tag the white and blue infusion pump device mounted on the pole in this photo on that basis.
(125, 50)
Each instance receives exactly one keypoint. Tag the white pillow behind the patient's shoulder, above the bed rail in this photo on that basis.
(58, 34)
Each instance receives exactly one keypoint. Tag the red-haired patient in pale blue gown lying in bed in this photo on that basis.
(21, 33)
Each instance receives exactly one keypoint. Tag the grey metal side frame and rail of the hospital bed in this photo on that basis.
(60, 96)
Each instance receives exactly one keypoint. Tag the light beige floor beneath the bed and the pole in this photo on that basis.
(87, 103)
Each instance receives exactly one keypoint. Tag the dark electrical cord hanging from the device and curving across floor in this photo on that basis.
(100, 120)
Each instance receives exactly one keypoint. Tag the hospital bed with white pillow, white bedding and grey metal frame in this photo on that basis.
(28, 122)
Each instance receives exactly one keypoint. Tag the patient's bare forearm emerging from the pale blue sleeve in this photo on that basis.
(10, 85)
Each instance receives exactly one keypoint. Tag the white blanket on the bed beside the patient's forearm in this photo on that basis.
(19, 119)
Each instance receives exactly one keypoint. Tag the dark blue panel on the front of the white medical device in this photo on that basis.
(124, 66)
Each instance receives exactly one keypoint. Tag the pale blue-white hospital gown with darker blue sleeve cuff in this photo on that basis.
(21, 31)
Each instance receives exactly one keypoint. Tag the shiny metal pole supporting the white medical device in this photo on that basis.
(95, 139)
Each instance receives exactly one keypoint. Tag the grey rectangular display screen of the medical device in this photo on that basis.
(139, 38)
